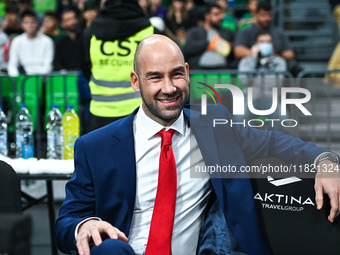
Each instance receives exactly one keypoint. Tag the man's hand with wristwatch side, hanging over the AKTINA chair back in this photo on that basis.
(327, 180)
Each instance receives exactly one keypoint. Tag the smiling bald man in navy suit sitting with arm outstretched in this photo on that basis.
(113, 188)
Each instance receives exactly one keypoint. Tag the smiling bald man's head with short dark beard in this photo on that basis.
(162, 79)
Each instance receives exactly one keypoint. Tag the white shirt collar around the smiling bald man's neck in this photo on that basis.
(150, 127)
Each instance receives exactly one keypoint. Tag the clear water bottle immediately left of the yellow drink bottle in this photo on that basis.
(55, 136)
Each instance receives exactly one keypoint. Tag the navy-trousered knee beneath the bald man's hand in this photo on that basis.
(112, 246)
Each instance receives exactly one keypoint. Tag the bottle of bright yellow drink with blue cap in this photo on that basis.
(71, 131)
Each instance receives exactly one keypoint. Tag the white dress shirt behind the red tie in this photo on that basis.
(192, 193)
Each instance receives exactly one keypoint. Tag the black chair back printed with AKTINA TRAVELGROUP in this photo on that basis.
(288, 214)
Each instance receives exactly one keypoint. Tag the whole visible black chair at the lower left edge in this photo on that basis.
(15, 228)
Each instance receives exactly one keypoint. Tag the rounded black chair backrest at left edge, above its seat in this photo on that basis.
(10, 197)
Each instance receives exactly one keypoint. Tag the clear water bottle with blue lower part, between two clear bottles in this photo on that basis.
(24, 134)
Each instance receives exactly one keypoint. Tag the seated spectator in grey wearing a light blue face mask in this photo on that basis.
(263, 58)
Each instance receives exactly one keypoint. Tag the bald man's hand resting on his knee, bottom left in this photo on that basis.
(93, 229)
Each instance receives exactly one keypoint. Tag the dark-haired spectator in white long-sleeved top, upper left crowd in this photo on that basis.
(32, 50)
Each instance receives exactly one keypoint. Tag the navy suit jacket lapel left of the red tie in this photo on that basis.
(124, 156)
